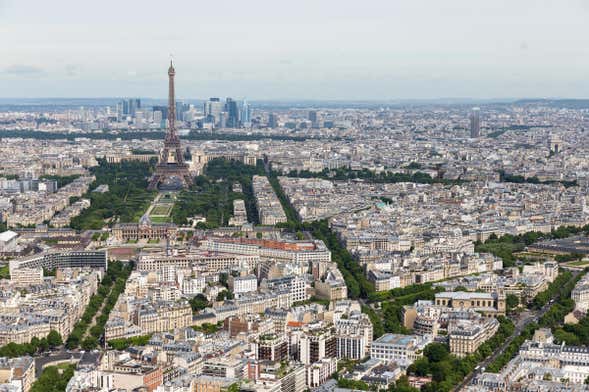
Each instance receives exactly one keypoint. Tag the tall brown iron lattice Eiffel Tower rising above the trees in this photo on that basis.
(171, 172)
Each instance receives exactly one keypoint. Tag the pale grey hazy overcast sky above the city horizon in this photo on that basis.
(296, 49)
